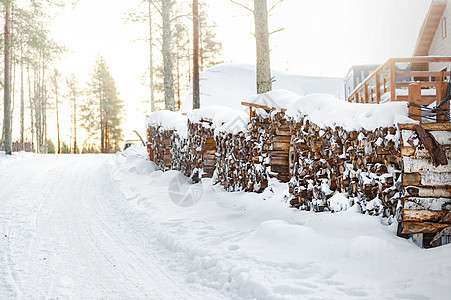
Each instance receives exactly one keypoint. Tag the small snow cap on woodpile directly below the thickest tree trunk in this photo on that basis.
(276, 99)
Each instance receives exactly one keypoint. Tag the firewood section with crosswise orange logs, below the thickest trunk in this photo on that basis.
(271, 137)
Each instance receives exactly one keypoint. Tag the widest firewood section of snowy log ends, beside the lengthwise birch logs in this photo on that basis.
(363, 164)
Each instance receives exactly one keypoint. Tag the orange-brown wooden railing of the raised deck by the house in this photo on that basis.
(387, 84)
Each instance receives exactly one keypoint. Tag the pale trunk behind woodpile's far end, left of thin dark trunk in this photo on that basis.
(167, 56)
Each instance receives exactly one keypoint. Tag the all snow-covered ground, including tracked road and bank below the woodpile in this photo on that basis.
(112, 226)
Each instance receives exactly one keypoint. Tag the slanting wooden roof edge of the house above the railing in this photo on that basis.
(429, 27)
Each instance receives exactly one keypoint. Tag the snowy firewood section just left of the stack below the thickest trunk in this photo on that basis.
(239, 167)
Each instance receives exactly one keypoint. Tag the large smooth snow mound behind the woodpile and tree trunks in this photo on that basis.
(228, 84)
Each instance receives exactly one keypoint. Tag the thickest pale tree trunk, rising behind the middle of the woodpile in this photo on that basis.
(264, 82)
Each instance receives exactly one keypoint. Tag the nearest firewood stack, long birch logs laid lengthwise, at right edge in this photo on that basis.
(426, 154)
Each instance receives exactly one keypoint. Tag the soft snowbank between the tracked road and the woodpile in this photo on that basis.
(251, 245)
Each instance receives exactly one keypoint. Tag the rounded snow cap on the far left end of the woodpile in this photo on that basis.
(169, 120)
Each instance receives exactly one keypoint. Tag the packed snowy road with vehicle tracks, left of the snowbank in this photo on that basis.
(62, 235)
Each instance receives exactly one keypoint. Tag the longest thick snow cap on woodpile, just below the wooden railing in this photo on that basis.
(328, 111)
